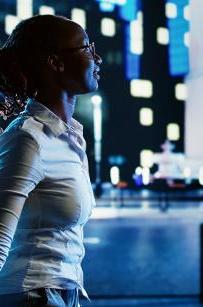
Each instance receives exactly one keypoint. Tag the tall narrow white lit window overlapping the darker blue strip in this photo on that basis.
(136, 34)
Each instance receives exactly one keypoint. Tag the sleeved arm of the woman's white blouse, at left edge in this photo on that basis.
(20, 171)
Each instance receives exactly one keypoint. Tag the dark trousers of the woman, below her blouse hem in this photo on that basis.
(41, 297)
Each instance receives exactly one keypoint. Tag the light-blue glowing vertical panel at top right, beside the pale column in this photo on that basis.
(178, 52)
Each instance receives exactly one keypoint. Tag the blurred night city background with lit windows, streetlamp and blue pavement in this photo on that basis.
(143, 129)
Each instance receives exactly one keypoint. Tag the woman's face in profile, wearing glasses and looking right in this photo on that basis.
(80, 65)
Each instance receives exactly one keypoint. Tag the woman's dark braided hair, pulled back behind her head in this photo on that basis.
(22, 58)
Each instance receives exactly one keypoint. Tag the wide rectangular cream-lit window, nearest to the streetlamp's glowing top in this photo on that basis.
(141, 88)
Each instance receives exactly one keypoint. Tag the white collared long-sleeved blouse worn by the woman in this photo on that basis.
(45, 200)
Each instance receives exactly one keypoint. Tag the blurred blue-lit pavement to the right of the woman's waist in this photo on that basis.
(143, 256)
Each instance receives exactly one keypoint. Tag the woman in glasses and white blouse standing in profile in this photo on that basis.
(45, 191)
